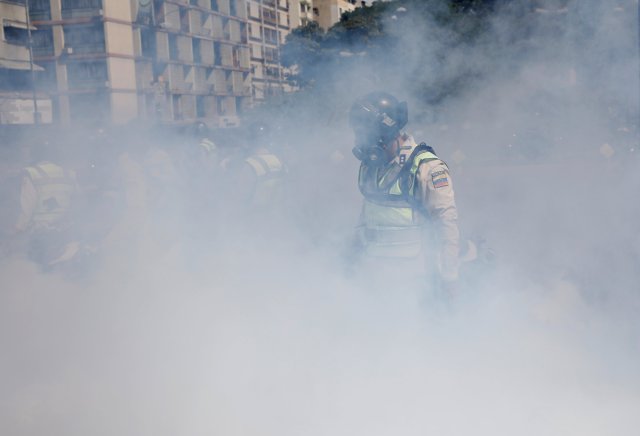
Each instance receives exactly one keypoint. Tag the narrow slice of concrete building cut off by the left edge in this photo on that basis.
(20, 102)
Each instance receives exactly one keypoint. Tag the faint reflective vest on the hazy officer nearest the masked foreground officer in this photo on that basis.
(270, 172)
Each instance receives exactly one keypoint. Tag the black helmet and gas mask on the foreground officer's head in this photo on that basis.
(376, 120)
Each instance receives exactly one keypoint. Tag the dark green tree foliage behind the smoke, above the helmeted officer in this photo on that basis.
(381, 38)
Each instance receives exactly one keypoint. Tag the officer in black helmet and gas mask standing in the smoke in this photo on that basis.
(408, 224)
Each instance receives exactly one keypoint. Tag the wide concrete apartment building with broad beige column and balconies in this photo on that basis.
(176, 61)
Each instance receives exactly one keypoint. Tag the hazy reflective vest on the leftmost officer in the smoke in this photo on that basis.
(54, 187)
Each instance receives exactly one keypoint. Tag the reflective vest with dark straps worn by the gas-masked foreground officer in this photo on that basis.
(392, 217)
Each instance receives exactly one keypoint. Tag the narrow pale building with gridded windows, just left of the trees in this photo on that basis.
(269, 24)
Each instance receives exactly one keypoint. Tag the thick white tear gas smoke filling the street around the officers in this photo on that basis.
(185, 311)
